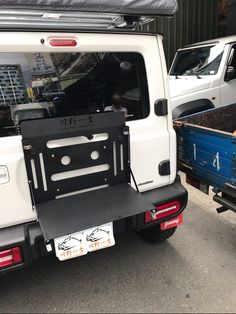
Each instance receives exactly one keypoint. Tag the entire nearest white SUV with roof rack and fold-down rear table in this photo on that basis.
(87, 146)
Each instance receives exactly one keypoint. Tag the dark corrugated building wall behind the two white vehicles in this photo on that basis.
(196, 20)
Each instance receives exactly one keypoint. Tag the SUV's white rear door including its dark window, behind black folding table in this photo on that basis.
(36, 77)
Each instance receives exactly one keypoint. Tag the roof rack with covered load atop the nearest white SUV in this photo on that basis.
(82, 14)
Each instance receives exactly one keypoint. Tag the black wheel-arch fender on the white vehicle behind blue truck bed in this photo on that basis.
(191, 107)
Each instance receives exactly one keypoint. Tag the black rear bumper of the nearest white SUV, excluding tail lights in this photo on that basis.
(29, 236)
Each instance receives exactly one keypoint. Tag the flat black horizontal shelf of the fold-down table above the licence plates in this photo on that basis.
(79, 212)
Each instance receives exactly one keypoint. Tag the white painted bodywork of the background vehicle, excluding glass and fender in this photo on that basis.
(212, 87)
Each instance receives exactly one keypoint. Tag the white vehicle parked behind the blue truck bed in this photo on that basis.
(203, 76)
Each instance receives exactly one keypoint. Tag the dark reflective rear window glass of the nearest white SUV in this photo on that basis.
(42, 85)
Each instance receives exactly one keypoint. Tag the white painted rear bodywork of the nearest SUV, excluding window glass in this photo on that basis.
(152, 139)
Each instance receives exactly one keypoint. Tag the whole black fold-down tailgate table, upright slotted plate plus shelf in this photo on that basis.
(78, 169)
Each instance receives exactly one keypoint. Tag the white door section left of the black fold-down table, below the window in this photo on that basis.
(16, 205)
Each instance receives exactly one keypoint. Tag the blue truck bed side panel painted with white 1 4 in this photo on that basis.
(210, 154)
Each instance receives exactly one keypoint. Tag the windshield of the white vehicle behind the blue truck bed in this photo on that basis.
(198, 61)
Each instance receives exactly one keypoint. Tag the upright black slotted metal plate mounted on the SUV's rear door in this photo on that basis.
(113, 153)
